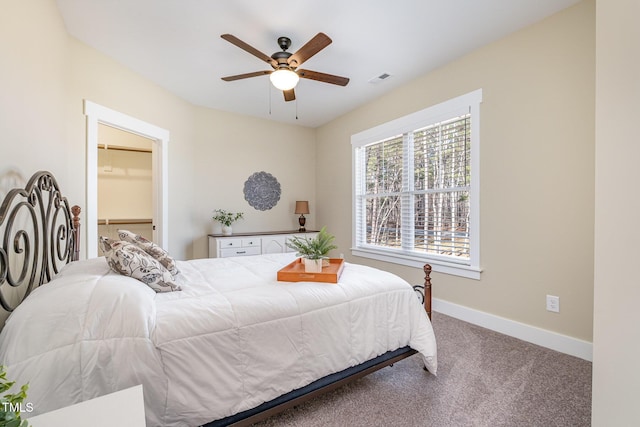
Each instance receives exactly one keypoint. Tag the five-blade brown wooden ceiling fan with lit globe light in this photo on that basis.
(285, 73)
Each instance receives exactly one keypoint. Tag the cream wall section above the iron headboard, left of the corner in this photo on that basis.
(33, 89)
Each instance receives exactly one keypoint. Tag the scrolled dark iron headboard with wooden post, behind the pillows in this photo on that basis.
(39, 234)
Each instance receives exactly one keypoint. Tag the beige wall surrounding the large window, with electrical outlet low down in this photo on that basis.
(537, 171)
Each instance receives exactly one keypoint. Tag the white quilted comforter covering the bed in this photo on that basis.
(233, 338)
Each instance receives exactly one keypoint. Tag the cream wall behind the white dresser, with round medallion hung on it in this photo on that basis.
(230, 149)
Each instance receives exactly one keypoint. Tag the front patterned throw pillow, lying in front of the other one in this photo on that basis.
(129, 260)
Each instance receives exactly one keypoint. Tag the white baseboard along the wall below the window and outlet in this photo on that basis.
(532, 334)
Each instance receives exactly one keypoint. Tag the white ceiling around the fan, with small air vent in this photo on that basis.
(177, 44)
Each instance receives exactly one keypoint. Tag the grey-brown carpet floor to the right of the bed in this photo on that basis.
(484, 379)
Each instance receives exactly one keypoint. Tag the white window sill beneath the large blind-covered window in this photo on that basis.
(440, 266)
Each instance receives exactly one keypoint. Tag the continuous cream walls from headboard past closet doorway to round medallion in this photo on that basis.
(47, 74)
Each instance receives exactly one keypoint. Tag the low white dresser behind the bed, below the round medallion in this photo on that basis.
(244, 244)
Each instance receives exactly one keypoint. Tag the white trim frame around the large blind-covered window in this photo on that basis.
(465, 104)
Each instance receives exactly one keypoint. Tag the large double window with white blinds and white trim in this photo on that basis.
(416, 182)
